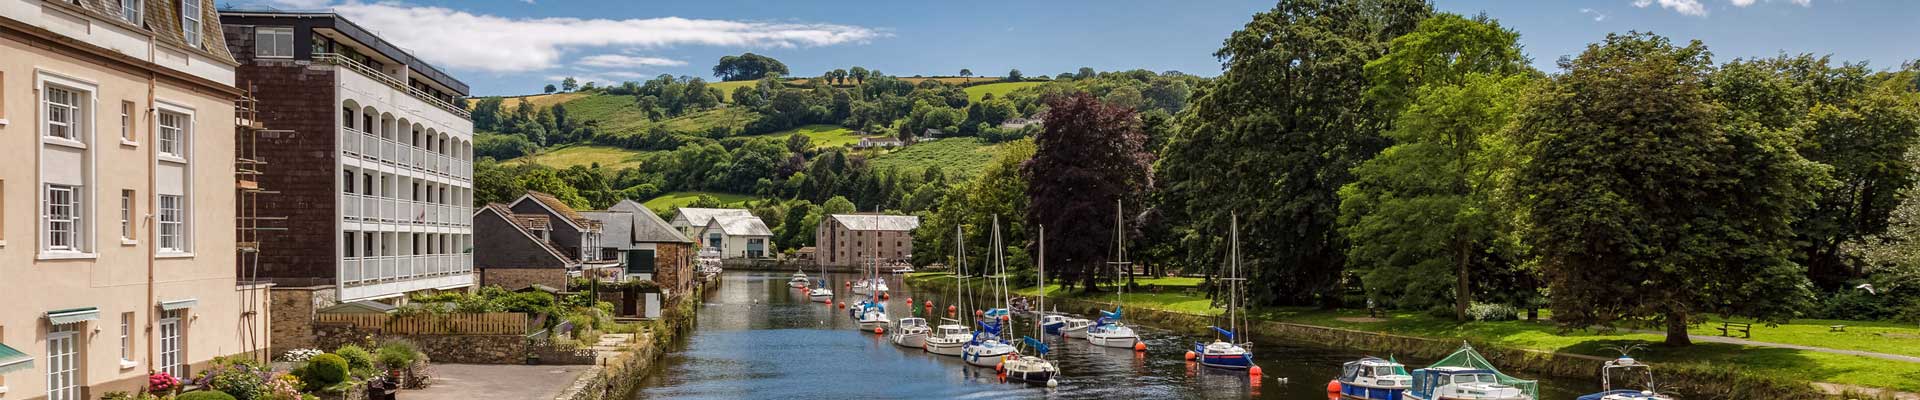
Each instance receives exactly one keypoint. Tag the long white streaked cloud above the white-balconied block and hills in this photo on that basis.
(508, 45)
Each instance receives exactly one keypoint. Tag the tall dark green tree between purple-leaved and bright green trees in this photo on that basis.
(1274, 139)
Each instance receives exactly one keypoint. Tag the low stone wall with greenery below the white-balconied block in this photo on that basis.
(439, 349)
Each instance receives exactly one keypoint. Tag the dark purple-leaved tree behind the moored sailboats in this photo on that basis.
(1088, 161)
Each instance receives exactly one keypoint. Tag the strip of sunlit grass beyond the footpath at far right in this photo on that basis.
(1860, 336)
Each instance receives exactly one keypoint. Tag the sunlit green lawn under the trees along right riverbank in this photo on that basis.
(1543, 336)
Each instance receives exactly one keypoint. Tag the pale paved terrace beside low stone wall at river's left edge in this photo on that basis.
(471, 382)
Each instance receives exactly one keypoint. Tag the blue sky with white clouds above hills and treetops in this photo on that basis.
(517, 47)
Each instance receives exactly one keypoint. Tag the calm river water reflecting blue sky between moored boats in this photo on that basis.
(761, 339)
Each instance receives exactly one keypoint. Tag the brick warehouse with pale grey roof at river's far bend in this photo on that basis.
(850, 239)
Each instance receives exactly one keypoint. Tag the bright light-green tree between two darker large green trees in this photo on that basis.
(1426, 209)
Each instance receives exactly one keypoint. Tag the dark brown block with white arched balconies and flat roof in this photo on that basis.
(375, 184)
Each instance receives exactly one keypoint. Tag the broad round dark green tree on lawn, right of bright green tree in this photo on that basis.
(1646, 203)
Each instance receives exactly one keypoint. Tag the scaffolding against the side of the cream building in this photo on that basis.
(249, 168)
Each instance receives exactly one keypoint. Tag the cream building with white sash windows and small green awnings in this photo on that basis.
(118, 197)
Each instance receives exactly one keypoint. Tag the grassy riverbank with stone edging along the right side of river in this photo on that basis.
(1710, 370)
